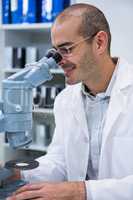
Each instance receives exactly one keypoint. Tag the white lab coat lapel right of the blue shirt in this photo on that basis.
(118, 98)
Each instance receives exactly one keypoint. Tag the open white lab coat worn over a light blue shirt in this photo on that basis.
(68, 155)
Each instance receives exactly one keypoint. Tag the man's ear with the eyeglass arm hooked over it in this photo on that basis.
(101, 42)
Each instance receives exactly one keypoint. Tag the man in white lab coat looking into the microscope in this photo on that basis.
(91, 153)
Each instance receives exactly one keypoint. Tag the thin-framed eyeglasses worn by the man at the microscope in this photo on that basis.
(67, 51)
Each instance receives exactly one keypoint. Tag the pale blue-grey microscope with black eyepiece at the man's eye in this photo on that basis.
(16, 112)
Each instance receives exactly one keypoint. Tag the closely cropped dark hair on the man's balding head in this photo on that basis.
(93, 20)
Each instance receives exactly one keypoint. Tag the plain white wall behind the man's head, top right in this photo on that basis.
(120, 16)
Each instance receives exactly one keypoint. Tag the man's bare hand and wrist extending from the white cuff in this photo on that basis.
(51, 191)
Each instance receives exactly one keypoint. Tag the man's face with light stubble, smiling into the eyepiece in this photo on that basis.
(79, 64)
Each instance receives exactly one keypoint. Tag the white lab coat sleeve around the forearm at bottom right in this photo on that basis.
(110, 189)
